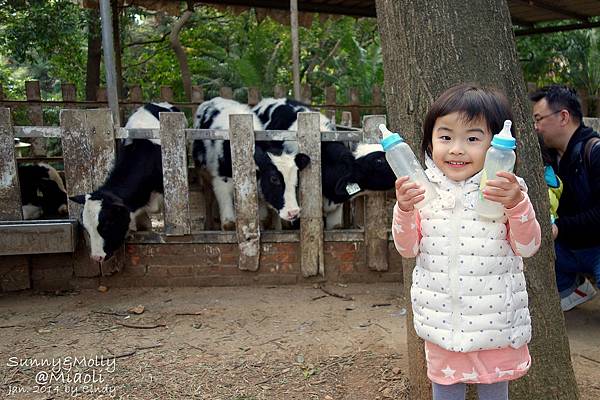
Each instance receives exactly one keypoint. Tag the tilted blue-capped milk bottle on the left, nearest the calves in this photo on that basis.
(403, 162)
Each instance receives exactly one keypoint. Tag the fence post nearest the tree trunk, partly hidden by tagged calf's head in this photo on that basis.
(376, 221)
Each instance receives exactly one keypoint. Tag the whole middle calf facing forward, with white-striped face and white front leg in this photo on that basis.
(277, 164)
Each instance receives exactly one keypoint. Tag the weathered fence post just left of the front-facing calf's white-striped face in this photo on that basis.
(241, 135)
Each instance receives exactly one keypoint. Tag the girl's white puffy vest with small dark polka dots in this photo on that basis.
(468, 289)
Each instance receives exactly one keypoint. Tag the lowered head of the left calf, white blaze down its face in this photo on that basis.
(106, 220)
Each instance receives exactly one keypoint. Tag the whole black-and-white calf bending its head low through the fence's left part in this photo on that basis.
(133, 188)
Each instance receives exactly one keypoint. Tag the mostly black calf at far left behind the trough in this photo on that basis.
(43, 193)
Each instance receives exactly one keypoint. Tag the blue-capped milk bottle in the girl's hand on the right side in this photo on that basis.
(499, 157)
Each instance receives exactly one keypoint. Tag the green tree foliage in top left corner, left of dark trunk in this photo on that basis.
(43, 40)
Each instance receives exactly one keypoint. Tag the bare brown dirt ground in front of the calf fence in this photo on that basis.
(245, 343)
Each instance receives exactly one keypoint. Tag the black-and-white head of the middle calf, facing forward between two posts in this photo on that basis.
(278, 179)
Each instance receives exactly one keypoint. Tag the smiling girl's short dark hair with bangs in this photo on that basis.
(473, 102)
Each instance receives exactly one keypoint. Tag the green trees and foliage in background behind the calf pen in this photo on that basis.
(47, 40)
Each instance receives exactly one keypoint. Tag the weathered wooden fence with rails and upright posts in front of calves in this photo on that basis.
(88, 142)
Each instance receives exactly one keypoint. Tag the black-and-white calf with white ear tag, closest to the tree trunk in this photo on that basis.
(344, 173)
